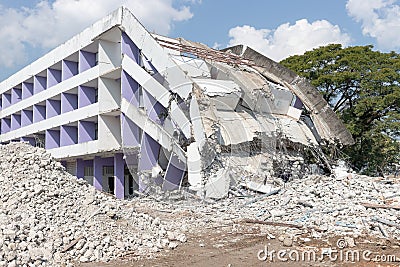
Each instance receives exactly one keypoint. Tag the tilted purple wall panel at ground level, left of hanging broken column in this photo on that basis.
(175, 172)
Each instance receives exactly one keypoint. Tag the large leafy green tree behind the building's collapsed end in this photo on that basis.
(363, 88)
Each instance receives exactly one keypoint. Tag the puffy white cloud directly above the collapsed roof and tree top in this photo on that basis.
(287, 40)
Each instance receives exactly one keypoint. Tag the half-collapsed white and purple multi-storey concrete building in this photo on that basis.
(129, 110)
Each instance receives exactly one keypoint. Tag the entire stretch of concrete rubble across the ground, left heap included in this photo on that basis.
(49, 217)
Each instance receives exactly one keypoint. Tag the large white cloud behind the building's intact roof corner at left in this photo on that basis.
(50, 23)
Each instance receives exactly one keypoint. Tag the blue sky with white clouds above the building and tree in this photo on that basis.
(29, 28)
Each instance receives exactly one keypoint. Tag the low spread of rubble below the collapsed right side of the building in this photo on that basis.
(352, 205)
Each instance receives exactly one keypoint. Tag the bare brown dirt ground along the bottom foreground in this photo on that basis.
(246, 247)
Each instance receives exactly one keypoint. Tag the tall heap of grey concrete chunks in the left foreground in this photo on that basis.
(49, 217)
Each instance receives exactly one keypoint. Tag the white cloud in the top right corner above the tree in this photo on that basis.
(380, 19)
